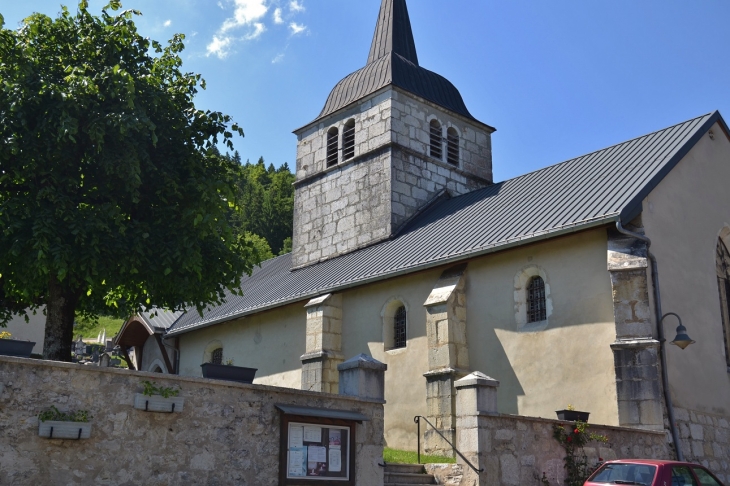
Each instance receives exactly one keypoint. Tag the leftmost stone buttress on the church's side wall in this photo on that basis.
(323, 344)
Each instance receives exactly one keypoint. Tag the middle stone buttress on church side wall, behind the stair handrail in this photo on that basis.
(448, 356)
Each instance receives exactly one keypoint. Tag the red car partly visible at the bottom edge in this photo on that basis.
(647, 472)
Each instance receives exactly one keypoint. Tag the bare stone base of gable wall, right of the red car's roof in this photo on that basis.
(705, 439)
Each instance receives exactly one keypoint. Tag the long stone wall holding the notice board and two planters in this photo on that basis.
(227, 434)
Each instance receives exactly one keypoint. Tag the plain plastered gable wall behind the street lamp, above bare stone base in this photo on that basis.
(684, 216)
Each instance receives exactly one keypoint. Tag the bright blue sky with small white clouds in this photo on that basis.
(558, 78)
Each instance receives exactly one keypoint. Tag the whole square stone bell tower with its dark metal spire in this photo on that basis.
(391, 139)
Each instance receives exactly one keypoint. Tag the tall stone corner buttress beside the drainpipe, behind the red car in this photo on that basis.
(635, 351)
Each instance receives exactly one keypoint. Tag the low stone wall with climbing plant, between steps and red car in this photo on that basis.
(516, 450)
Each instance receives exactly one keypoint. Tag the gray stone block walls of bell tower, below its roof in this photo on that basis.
(391, 176)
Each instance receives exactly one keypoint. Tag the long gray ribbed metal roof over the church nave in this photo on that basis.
(592, 190)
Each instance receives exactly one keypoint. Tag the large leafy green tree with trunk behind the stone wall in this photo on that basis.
(111, 197)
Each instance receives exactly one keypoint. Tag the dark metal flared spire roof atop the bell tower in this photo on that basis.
(393, 61)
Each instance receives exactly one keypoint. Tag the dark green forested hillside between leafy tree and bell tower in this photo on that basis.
(266, 199)
